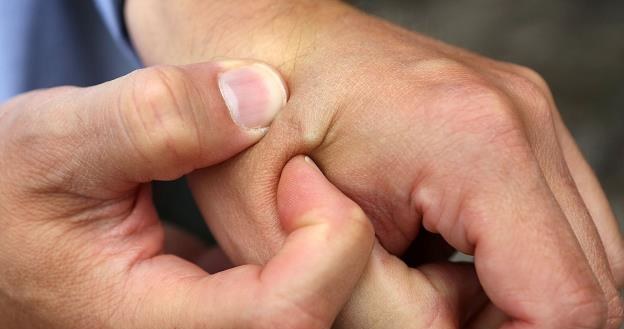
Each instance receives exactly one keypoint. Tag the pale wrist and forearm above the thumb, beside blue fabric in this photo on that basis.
(280, 32)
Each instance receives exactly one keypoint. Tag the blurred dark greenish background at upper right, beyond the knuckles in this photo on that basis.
(576, 45)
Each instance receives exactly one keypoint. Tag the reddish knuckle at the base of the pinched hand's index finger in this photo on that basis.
(484, 124)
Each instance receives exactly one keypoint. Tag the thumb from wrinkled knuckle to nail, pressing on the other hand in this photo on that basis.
(172, 120)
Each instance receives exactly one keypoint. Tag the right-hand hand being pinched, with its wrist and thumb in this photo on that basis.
(421, 135)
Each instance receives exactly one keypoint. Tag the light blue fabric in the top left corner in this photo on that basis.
(46, 43)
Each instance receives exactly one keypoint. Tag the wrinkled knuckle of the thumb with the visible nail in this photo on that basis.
(159, 118)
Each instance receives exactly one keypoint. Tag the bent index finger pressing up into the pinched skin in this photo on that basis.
(304, 285)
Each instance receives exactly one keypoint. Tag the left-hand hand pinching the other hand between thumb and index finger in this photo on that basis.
(81, 244)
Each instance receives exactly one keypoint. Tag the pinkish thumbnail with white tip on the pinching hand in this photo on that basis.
(253, 93)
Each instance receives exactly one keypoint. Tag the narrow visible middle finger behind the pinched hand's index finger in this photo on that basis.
(537, 113)
